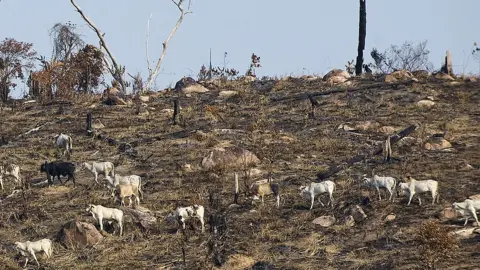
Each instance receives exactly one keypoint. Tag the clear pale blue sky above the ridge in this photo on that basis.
(291, 37)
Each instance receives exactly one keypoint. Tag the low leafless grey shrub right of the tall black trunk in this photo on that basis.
(406, 57)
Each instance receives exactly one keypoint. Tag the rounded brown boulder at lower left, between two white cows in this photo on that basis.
(78, 235)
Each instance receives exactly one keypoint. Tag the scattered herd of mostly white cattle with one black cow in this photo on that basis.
(122, 187)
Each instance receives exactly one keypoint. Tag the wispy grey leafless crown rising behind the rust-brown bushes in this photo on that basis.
(65, 41)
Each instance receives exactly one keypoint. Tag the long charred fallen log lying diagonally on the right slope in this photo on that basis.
(334, 169)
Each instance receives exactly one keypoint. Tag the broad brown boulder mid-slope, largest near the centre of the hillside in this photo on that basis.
(229, 157)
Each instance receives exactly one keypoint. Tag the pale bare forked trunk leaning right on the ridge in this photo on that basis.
(152, 74)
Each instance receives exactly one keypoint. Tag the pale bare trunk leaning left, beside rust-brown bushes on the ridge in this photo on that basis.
(113, 67)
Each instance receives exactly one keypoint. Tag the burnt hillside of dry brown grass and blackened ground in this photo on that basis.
(270, 119)
